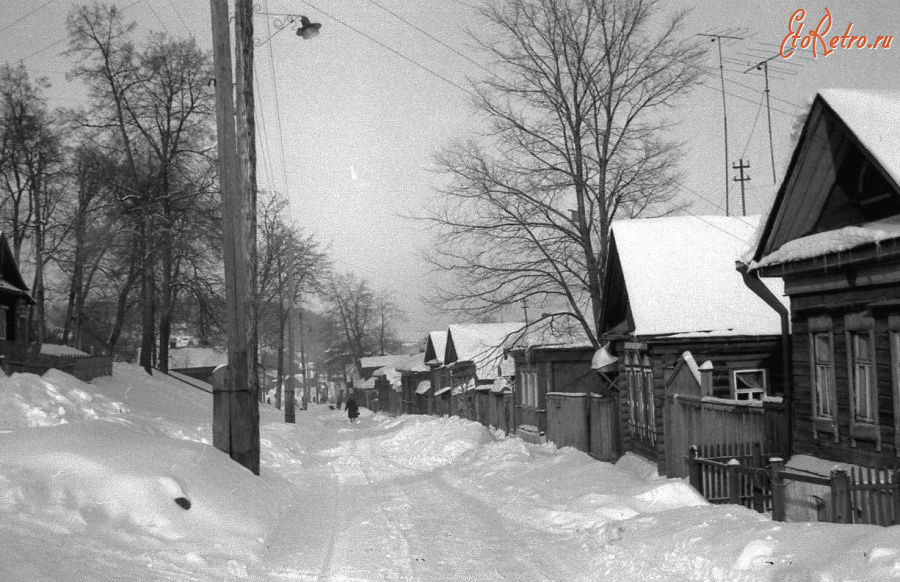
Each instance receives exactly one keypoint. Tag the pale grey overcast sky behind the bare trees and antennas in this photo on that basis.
(347, 122)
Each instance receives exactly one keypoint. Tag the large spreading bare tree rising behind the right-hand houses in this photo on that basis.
(577, 113)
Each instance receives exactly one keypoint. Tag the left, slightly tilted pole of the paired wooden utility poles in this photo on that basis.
(235, 408)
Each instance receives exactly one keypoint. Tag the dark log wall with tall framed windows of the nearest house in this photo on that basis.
(842, 429)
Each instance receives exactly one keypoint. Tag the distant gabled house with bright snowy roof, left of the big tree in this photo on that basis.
(474, 356)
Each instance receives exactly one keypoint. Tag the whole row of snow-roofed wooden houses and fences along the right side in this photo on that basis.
(782, 330)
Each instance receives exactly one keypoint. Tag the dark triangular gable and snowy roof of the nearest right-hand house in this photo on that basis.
(843, 176)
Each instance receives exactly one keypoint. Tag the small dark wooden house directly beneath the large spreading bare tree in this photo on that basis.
(553, 355)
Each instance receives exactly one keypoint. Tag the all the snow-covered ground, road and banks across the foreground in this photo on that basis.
(116, 480)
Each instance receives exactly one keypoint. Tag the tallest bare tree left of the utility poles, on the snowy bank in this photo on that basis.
(154, 106)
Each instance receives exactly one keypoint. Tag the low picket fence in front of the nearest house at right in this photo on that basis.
(728, 474)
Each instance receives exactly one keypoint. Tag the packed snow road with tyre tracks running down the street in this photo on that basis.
(358, 523)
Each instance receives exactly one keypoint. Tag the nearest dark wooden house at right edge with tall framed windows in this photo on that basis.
(833, 236)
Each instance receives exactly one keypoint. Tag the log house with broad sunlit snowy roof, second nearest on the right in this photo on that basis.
(672, 286)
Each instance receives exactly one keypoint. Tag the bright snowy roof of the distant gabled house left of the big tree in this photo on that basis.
(481, 344)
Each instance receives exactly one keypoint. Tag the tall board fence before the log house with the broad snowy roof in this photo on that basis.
(693, 420)
